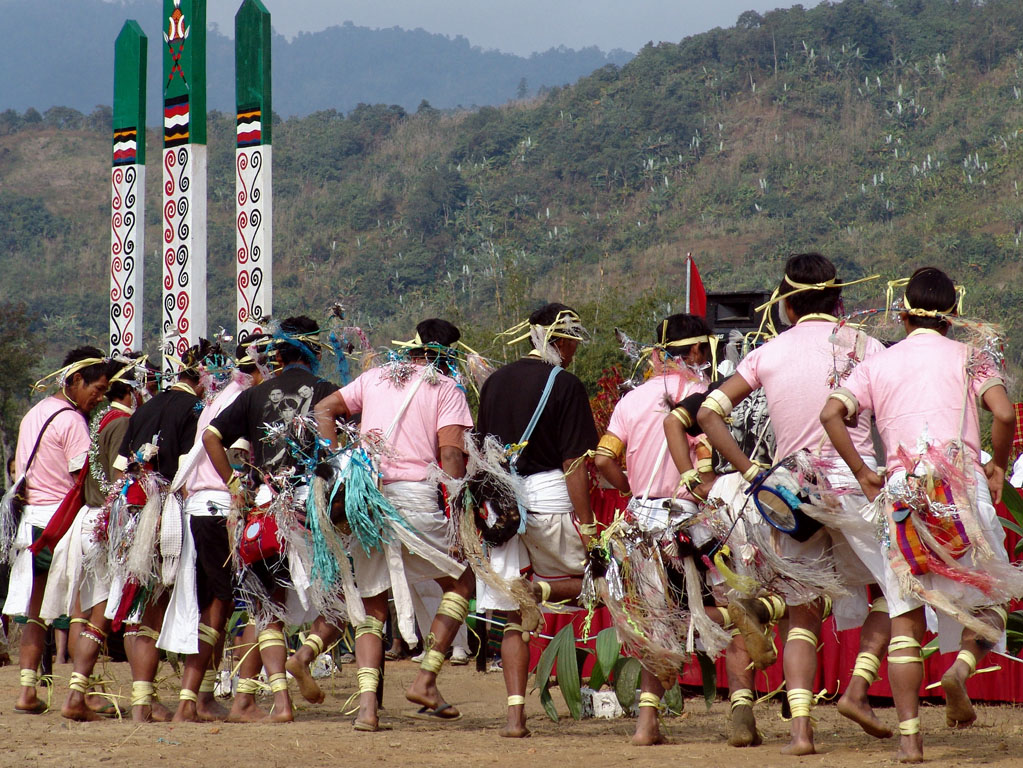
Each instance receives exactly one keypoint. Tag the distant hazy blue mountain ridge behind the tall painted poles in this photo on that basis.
(58, 53)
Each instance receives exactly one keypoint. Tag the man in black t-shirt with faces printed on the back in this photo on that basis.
(294, 392)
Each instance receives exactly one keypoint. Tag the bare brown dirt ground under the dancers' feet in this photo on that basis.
(323, 737)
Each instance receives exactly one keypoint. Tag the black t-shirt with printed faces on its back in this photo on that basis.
(295, 391)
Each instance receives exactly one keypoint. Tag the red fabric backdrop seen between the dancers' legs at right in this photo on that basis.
(838, 652)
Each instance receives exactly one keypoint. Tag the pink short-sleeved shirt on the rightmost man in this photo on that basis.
(918, 390)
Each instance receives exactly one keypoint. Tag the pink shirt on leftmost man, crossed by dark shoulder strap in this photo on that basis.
(63, 450)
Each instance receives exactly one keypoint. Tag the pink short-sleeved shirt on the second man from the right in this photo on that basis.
(796, 371)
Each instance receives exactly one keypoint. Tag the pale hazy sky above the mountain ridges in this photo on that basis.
(514, 26)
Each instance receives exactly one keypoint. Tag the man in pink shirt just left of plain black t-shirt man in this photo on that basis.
(422, 418)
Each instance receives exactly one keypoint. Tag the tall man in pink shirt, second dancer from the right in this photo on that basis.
(798, 371)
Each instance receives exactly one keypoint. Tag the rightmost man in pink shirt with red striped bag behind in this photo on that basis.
(936, 483)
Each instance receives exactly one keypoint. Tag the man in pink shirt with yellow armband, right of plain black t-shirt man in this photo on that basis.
(662, 493)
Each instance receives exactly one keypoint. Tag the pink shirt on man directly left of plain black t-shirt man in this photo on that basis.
(414, 443)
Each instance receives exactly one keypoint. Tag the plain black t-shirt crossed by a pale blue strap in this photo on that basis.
(566, 429)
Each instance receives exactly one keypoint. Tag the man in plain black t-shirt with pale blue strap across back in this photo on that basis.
(560, 521)
